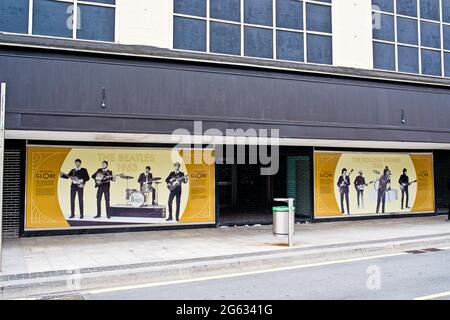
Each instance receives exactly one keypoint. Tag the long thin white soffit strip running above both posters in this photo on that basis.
(176, 139)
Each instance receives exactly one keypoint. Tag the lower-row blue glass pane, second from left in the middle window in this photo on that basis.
(225, 38)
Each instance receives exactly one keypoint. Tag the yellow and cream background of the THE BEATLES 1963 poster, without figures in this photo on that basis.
(48, 196)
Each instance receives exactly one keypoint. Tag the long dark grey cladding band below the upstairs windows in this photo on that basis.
(64, 92)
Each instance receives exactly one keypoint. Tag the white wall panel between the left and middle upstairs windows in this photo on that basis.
(145, 22)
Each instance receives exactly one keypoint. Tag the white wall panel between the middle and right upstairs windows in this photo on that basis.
(352, 33)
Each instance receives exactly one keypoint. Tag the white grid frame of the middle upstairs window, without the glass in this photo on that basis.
(274, 28)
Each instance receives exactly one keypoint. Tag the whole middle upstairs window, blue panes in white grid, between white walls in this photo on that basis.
(291, 30)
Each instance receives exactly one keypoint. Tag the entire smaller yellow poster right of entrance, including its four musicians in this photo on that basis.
(356, 184)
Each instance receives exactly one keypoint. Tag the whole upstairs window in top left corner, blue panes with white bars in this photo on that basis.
(76, 19)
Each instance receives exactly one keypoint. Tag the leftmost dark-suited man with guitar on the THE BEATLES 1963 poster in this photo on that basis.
(79, 177)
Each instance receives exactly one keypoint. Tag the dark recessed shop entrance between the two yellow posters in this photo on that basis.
(246, 197)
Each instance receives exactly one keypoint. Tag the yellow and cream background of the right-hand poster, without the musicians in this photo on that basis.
(328, 167)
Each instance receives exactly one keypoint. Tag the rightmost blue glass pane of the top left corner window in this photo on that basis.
(96, 23)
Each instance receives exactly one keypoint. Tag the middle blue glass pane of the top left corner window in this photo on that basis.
(53, 18)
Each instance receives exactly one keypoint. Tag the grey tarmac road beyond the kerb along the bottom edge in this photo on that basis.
(422, 275)
